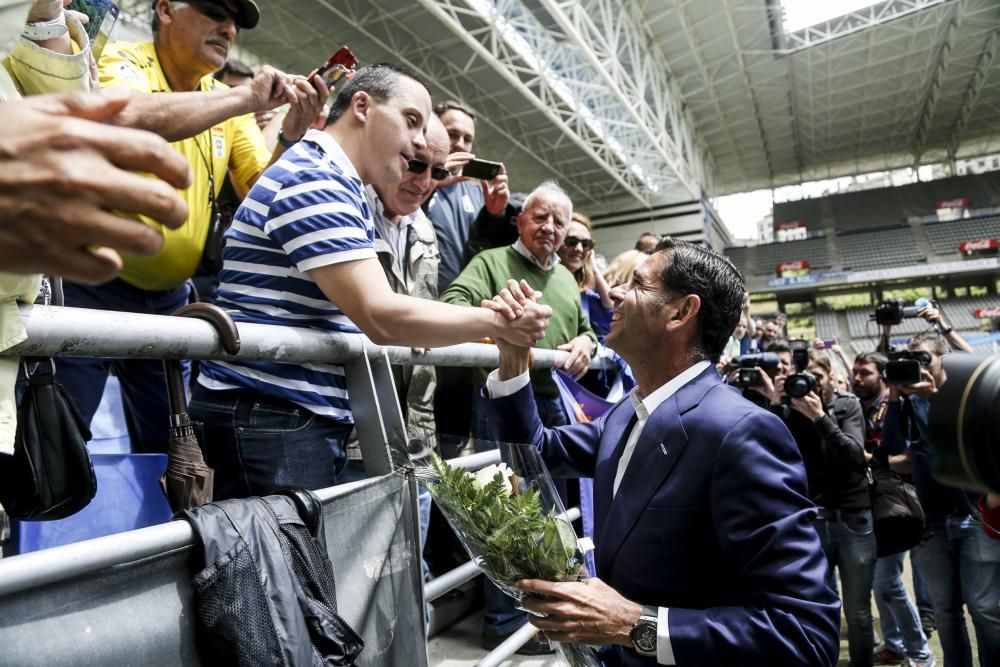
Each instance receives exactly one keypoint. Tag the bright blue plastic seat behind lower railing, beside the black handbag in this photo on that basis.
(129, 496)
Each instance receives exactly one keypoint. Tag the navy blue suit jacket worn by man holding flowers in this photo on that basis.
(712, 520)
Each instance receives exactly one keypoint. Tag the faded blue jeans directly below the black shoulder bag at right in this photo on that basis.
(901, 631)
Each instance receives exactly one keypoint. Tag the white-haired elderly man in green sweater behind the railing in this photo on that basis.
(542, 226)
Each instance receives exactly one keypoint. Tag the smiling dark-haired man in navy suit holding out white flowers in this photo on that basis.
(706, 550)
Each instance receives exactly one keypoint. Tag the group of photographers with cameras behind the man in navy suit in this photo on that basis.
(846, 427)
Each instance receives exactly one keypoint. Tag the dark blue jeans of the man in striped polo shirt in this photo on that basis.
(258, 444)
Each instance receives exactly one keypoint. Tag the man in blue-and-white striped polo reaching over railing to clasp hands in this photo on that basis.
(301, 253)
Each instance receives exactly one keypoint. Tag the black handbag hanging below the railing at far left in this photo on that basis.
(50, 475)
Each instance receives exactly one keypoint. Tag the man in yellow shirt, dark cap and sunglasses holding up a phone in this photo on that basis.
(212, 127)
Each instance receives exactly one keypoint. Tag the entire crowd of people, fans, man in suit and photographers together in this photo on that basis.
(166, 161)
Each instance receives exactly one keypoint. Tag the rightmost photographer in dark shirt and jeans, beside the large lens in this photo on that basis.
(960, 564)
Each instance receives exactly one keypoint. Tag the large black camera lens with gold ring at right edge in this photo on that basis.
(965, 423)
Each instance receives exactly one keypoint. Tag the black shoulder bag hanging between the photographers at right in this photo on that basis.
(899, 518)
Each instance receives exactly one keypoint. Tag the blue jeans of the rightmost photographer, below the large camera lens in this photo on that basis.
(961, 565)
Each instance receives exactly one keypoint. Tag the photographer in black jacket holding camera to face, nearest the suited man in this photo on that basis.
(829, 430)
